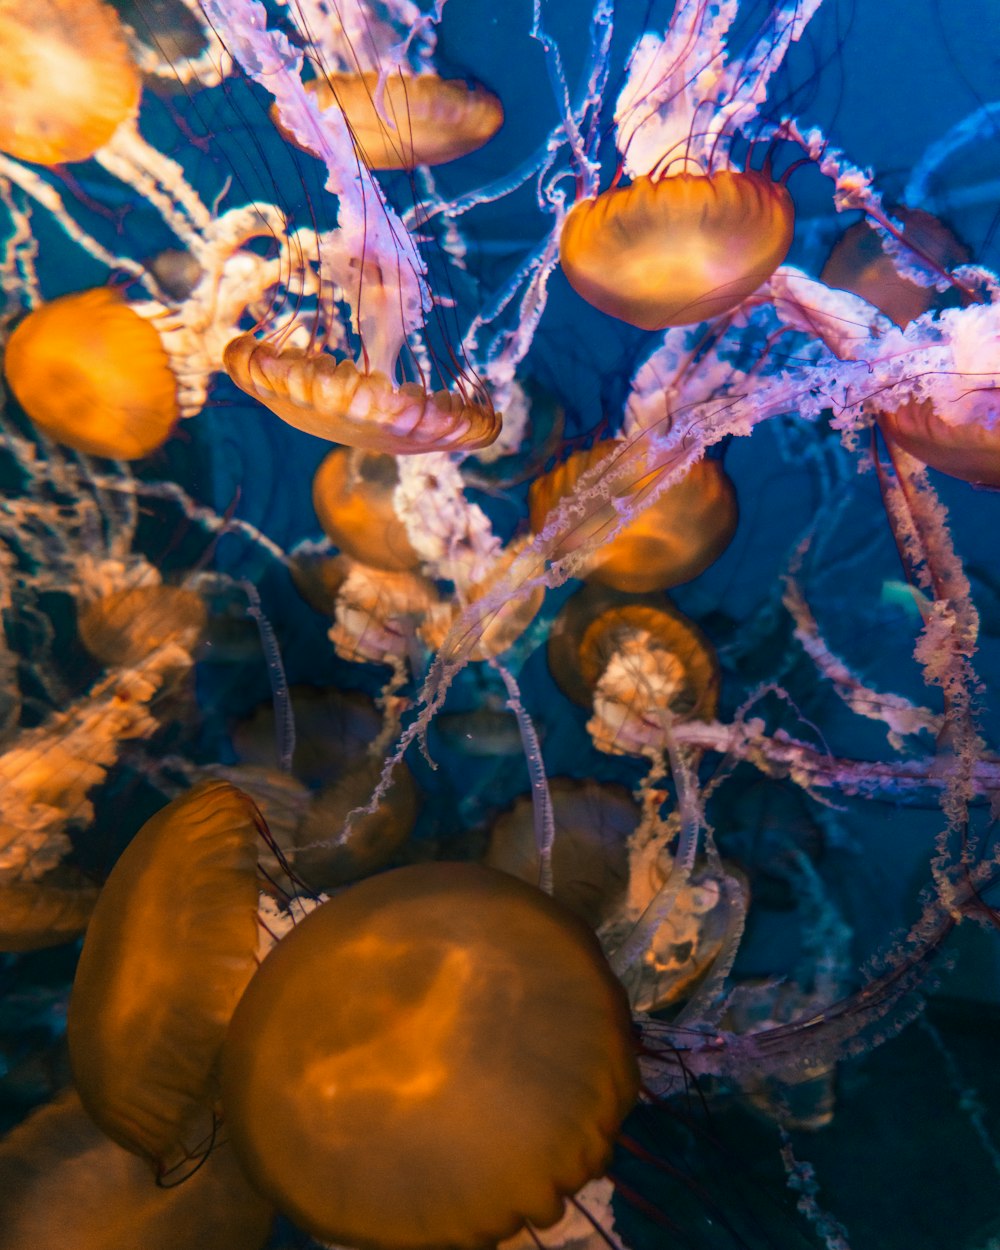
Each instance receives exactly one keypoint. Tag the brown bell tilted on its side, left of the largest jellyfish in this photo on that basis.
(168, 953)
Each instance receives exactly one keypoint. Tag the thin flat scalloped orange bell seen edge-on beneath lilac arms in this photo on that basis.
(347, 403)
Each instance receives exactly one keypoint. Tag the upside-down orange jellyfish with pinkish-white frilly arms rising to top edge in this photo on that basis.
(692, 236)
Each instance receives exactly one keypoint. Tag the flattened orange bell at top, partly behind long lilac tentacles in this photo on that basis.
(406, 121)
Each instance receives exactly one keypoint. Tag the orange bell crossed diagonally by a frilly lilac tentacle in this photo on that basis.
(671, 542)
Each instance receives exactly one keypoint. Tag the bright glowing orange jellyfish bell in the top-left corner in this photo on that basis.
(67, 79)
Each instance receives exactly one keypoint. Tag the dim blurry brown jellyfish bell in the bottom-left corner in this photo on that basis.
(63, 1183)
